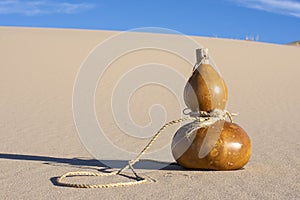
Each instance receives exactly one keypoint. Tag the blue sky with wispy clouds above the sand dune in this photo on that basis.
(273, 21)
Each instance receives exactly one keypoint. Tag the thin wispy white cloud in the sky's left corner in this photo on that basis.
(38, 7)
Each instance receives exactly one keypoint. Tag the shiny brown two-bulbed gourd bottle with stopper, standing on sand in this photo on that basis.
(220, 146)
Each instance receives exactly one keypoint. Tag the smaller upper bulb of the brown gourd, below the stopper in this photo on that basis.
(205, 90)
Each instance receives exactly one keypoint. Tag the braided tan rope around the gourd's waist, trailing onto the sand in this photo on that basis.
(201, 118)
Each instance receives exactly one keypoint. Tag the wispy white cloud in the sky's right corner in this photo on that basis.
(284, 7)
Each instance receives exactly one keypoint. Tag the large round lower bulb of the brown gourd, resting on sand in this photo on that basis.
(231, 151)
